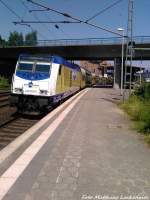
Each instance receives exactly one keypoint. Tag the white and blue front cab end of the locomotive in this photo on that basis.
(31, 84)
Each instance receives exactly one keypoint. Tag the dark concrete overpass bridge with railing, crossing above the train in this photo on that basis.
(76, 49)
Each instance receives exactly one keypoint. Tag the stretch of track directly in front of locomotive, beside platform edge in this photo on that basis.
(14, 128)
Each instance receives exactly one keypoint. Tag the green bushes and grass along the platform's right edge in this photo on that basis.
(138, 108)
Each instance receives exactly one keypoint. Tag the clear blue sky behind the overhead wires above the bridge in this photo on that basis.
(111, 19)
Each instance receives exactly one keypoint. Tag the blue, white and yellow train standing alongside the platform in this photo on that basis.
(41, 81)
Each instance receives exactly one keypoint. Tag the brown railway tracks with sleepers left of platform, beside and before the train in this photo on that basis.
(12, 124)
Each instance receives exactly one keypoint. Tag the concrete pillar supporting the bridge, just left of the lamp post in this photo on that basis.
(117, 73)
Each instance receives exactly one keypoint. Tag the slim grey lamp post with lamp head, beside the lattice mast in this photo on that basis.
(122, 55)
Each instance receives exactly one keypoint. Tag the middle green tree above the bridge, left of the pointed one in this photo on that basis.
(15, 39)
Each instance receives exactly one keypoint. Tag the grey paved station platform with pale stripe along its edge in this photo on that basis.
(86, 151)
